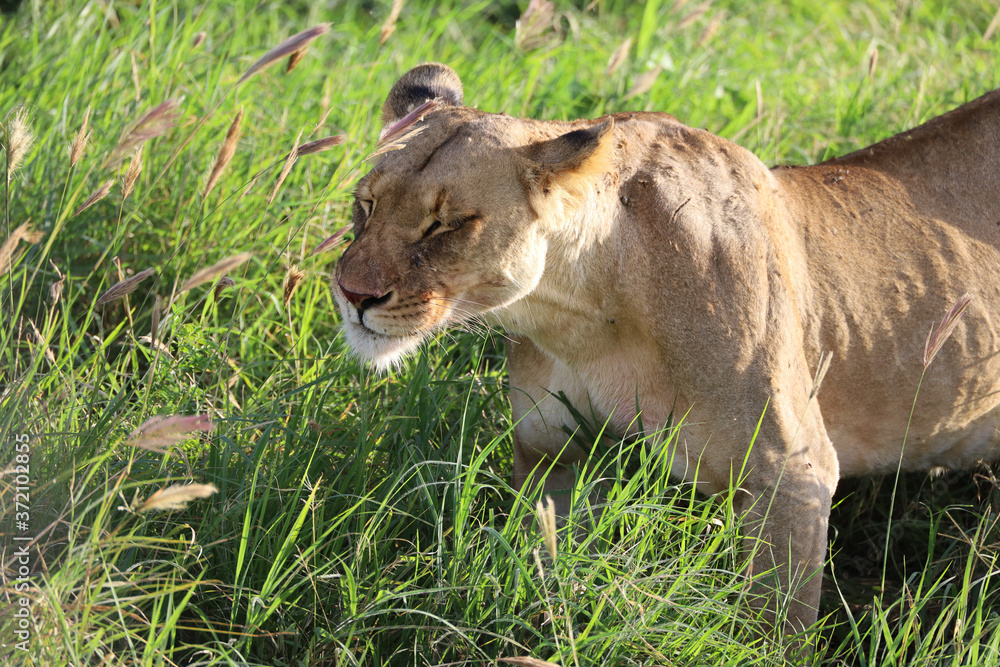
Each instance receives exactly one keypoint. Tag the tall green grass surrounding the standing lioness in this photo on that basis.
(363, 519)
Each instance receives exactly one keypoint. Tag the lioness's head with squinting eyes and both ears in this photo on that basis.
(451, 226)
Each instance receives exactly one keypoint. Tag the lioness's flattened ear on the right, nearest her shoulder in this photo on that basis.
(571, 159)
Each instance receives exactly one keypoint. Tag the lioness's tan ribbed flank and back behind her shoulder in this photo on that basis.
(893, 236)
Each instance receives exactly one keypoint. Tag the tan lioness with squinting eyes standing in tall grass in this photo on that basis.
(637, 262)
